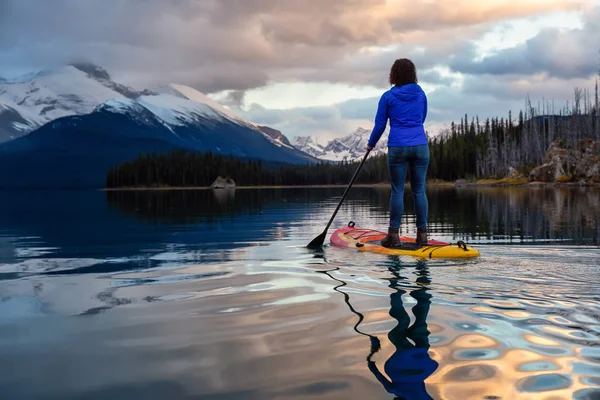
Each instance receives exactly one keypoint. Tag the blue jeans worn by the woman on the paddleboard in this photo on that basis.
(416, 159)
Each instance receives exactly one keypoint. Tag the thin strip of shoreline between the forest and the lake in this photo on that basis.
(481, 183)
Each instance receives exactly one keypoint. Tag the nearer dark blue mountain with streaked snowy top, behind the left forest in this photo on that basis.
(77, 151)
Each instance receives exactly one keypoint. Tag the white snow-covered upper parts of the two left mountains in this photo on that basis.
(30, 101)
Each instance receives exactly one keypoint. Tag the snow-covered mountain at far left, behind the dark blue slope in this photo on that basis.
(28, 102)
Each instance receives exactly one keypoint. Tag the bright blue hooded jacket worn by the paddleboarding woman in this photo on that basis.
(406, 108)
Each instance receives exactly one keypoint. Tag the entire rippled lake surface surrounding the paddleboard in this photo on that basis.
(212, 295)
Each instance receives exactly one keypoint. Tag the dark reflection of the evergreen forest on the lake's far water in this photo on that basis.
(509, 214)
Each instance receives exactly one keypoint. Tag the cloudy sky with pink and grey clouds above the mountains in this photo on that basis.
(318, 67)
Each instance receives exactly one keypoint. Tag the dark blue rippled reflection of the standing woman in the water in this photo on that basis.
(410, 364)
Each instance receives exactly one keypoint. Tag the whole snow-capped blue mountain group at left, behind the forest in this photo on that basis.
(65, 128)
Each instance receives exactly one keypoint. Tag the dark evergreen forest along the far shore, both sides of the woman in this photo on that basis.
(469, 149)
